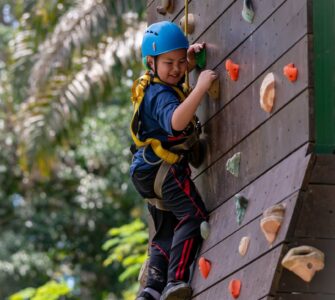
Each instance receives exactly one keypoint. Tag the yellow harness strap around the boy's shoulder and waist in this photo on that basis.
(138, 91)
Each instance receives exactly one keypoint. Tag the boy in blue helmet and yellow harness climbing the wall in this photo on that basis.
(162, 122)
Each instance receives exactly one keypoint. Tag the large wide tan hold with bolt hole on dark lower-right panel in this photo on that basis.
(304, 261)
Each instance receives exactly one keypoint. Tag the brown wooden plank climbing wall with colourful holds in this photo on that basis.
(278, 164)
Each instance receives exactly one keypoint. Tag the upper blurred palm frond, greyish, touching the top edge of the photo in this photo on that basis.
(81, 24)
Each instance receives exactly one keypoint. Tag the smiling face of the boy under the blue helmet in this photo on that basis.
(171, 66)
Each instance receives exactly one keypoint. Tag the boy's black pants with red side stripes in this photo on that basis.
(177, 236)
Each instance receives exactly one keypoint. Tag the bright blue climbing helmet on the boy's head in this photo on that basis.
(163, 37)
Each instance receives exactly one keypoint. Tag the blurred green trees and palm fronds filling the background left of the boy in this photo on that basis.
(65, 71)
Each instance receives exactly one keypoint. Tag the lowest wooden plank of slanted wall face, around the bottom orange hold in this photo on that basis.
(256, 280)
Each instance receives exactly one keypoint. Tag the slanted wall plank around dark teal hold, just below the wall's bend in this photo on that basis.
(275, 185)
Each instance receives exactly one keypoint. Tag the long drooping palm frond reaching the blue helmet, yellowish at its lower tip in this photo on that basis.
(50, 118)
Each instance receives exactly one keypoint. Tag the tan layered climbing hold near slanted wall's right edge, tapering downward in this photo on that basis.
(271, 221)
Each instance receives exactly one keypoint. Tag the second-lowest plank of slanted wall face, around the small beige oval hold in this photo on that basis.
(224, 256)
